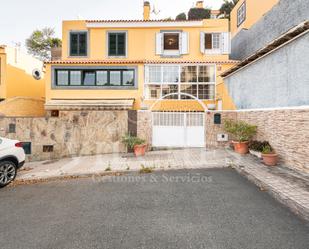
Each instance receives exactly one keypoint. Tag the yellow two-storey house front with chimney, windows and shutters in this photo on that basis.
(141, 64)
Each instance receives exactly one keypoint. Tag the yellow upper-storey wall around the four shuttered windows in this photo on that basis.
(141, 41)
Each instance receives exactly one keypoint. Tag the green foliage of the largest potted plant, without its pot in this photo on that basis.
(241, 130)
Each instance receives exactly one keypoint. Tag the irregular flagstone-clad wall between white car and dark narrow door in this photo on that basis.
(73, 133)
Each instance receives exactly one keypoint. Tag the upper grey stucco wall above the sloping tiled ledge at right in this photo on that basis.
(282, 17)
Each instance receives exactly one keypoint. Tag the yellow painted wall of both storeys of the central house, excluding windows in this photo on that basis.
(141, 46)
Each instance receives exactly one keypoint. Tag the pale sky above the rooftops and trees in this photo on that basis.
(20, 17)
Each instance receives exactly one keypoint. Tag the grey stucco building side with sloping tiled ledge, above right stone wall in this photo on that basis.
(273, 72)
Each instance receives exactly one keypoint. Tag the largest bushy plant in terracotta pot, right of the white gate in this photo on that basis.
(242, 132)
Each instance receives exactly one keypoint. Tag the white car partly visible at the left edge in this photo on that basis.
(12, 158)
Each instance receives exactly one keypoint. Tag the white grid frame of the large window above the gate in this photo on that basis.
(179, 83)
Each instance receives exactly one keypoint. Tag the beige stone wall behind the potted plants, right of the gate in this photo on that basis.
(287, 131)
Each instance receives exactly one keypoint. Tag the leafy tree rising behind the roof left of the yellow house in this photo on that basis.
(40, 43)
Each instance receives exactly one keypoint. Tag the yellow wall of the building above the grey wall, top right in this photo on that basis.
(255, 9)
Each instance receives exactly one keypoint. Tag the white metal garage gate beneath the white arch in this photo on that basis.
(178, 129)
